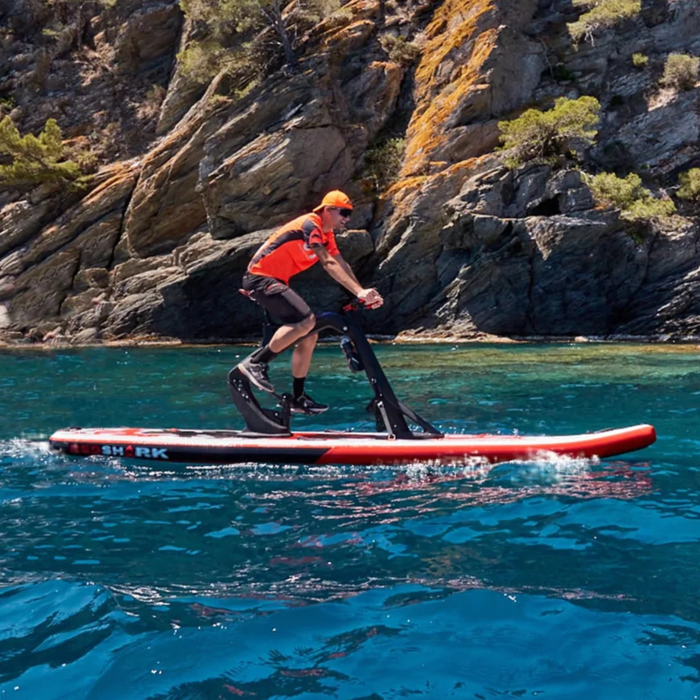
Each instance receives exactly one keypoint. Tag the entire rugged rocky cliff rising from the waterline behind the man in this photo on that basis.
(459, 245)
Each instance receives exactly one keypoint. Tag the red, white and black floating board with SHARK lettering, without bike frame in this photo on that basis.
(231, 447)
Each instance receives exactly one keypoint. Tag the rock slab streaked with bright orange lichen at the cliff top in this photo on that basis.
(474, 70)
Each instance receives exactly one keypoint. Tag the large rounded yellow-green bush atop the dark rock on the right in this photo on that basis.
(543, 136)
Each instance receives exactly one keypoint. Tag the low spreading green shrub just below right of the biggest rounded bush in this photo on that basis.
(636, 203)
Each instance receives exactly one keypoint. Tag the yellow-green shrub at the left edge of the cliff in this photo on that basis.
(34, 159)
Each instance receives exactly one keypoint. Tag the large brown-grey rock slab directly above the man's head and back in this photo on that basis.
(284, 145)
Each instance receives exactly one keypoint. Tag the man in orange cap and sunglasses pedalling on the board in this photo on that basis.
(292, 249)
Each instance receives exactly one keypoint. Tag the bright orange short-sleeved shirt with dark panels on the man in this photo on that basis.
(288, 251)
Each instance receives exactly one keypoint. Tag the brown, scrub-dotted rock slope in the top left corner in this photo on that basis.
(100, 73)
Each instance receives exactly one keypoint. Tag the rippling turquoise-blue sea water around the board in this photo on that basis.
(564, 579)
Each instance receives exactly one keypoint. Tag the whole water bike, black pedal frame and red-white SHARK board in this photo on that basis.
(402, 436)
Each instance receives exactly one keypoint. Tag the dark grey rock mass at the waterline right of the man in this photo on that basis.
(524, 254)
